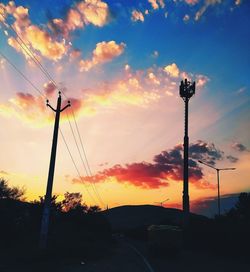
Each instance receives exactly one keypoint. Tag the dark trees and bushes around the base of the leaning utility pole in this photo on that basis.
(77, 232)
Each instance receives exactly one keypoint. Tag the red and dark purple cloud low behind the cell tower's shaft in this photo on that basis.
(166, 166)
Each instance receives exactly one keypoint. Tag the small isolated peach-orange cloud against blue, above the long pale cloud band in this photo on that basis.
(104, 52)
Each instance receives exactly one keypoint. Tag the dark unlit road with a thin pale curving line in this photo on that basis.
(133, 256)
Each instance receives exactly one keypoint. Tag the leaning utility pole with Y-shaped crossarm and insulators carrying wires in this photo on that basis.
(47, 202)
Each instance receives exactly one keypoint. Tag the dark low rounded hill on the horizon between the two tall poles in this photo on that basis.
(131, 217)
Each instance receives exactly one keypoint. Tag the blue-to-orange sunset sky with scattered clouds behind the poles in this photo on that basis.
(120, 64)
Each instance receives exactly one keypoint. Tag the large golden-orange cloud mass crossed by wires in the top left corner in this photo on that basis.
(44, 42)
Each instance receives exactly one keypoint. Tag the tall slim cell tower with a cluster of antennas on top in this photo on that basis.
(187, 90)
